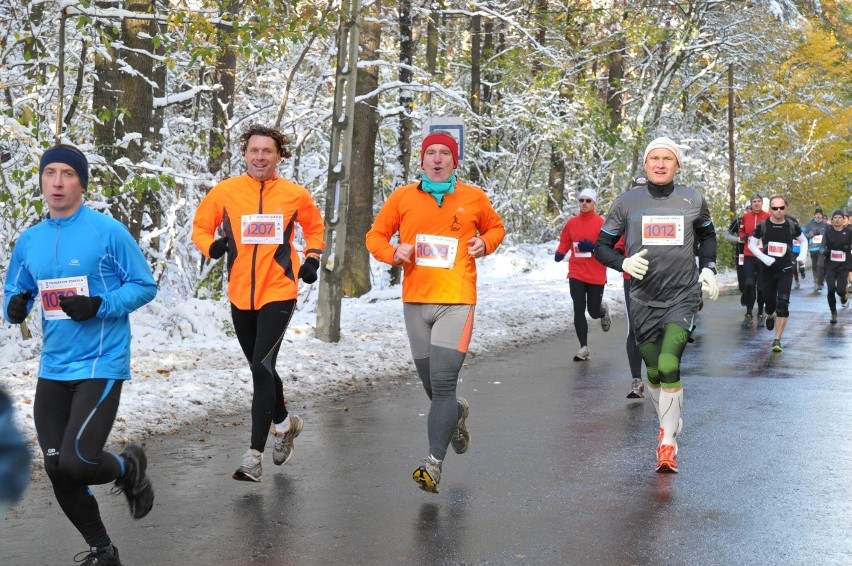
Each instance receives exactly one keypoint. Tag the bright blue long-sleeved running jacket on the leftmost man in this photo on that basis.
(63, 256)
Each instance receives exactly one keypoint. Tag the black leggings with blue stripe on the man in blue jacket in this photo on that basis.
(73, 420)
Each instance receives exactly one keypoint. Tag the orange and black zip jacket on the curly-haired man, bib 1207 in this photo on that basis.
(259, 273)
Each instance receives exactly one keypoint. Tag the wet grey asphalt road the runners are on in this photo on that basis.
(561, 469)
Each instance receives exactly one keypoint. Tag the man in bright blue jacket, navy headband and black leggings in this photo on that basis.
(88, 275)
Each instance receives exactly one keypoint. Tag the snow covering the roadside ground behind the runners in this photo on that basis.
(187, 364)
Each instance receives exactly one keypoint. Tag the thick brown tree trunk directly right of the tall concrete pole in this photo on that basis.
(356, 271)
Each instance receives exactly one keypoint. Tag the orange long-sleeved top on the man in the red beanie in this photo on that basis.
(465, 213)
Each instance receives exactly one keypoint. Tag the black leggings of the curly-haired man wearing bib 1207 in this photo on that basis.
(260, 333)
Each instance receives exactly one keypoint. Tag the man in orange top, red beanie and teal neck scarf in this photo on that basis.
(444, 225)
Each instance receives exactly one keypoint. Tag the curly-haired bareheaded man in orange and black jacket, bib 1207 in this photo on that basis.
(257, 213)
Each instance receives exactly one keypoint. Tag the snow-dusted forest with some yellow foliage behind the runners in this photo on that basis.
(556, 96)
